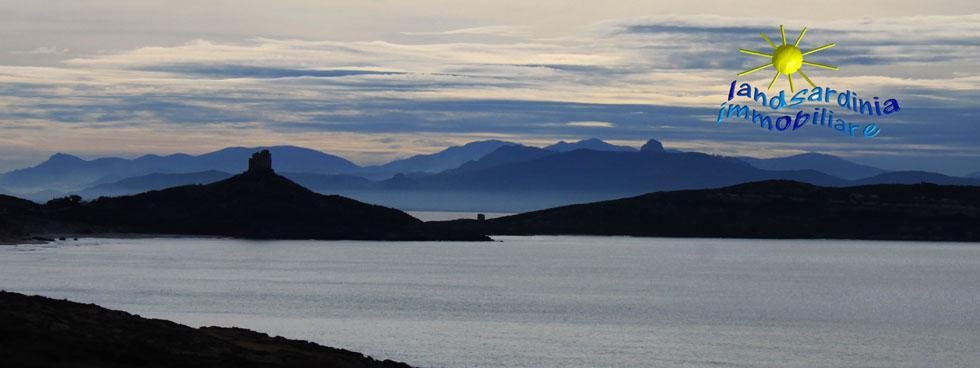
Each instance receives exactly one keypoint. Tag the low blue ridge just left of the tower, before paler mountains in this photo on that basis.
(150, 182)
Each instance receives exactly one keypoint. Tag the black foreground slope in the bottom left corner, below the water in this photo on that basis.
(40, 332)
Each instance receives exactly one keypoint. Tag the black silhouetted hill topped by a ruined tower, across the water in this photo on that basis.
(257, 204)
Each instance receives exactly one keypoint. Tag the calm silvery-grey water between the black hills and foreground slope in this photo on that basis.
(547, 301)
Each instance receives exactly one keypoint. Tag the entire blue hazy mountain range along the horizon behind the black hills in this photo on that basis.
(486, 175)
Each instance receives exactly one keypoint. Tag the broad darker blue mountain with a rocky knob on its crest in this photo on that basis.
(561, 178)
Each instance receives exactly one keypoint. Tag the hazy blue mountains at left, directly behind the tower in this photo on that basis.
(68, 173)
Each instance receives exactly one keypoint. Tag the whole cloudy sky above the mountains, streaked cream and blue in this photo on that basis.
(375, 80)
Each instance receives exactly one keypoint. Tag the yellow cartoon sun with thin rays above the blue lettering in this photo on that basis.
(787, 59)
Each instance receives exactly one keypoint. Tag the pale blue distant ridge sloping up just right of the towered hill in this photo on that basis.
(446, 159)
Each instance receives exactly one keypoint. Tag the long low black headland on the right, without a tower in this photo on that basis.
(769, 209)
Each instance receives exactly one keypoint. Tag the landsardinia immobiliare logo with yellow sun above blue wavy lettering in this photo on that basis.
(788, 59)
